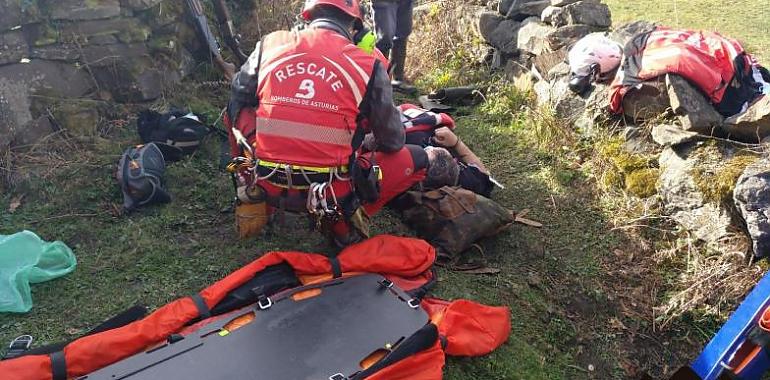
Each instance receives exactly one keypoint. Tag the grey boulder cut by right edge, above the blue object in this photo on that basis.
(752, 199)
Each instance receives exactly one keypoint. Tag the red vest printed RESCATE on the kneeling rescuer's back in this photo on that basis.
(311, 84)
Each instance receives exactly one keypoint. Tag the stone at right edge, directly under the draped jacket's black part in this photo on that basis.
(753, 125)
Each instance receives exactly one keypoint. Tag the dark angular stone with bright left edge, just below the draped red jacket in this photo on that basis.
(694, 110)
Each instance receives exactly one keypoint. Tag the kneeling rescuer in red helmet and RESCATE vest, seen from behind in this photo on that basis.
(299, 110)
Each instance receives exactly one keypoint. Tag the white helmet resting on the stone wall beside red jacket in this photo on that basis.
(595, 48)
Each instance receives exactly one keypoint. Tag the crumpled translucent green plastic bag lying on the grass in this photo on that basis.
(26, 259)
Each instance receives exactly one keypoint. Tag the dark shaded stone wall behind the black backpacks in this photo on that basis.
(60, 60)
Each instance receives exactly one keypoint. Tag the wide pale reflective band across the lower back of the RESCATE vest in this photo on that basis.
(303, 131)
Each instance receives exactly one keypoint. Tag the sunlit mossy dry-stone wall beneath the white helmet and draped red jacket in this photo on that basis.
(666, 118)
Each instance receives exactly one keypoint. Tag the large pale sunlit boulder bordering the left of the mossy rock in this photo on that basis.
(682, 192)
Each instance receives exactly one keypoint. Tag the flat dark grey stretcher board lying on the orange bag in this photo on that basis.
(311, 339)
